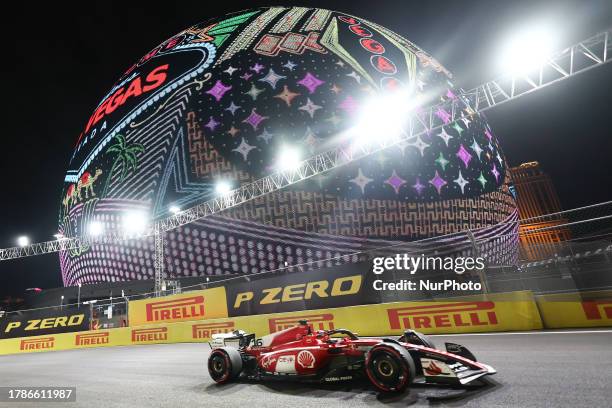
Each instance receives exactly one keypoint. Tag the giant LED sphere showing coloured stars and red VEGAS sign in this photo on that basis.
(233, 99)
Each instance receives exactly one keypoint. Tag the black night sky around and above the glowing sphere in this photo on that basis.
(58, 61)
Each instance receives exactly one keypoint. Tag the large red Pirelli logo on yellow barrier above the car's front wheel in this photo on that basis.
(456, 314)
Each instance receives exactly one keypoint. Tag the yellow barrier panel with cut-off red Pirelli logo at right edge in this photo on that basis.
(587, 309)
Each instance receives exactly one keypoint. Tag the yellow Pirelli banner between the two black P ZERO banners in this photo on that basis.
(197, 305)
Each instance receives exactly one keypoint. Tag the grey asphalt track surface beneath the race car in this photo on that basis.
(535, 369)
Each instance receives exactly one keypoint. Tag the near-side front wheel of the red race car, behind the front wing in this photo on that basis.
(389, 367)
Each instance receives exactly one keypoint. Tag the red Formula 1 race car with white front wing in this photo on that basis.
(338, 355)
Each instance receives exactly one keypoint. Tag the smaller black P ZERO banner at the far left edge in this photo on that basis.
(44, 321)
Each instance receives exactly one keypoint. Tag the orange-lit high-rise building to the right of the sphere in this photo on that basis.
(536, 198)
